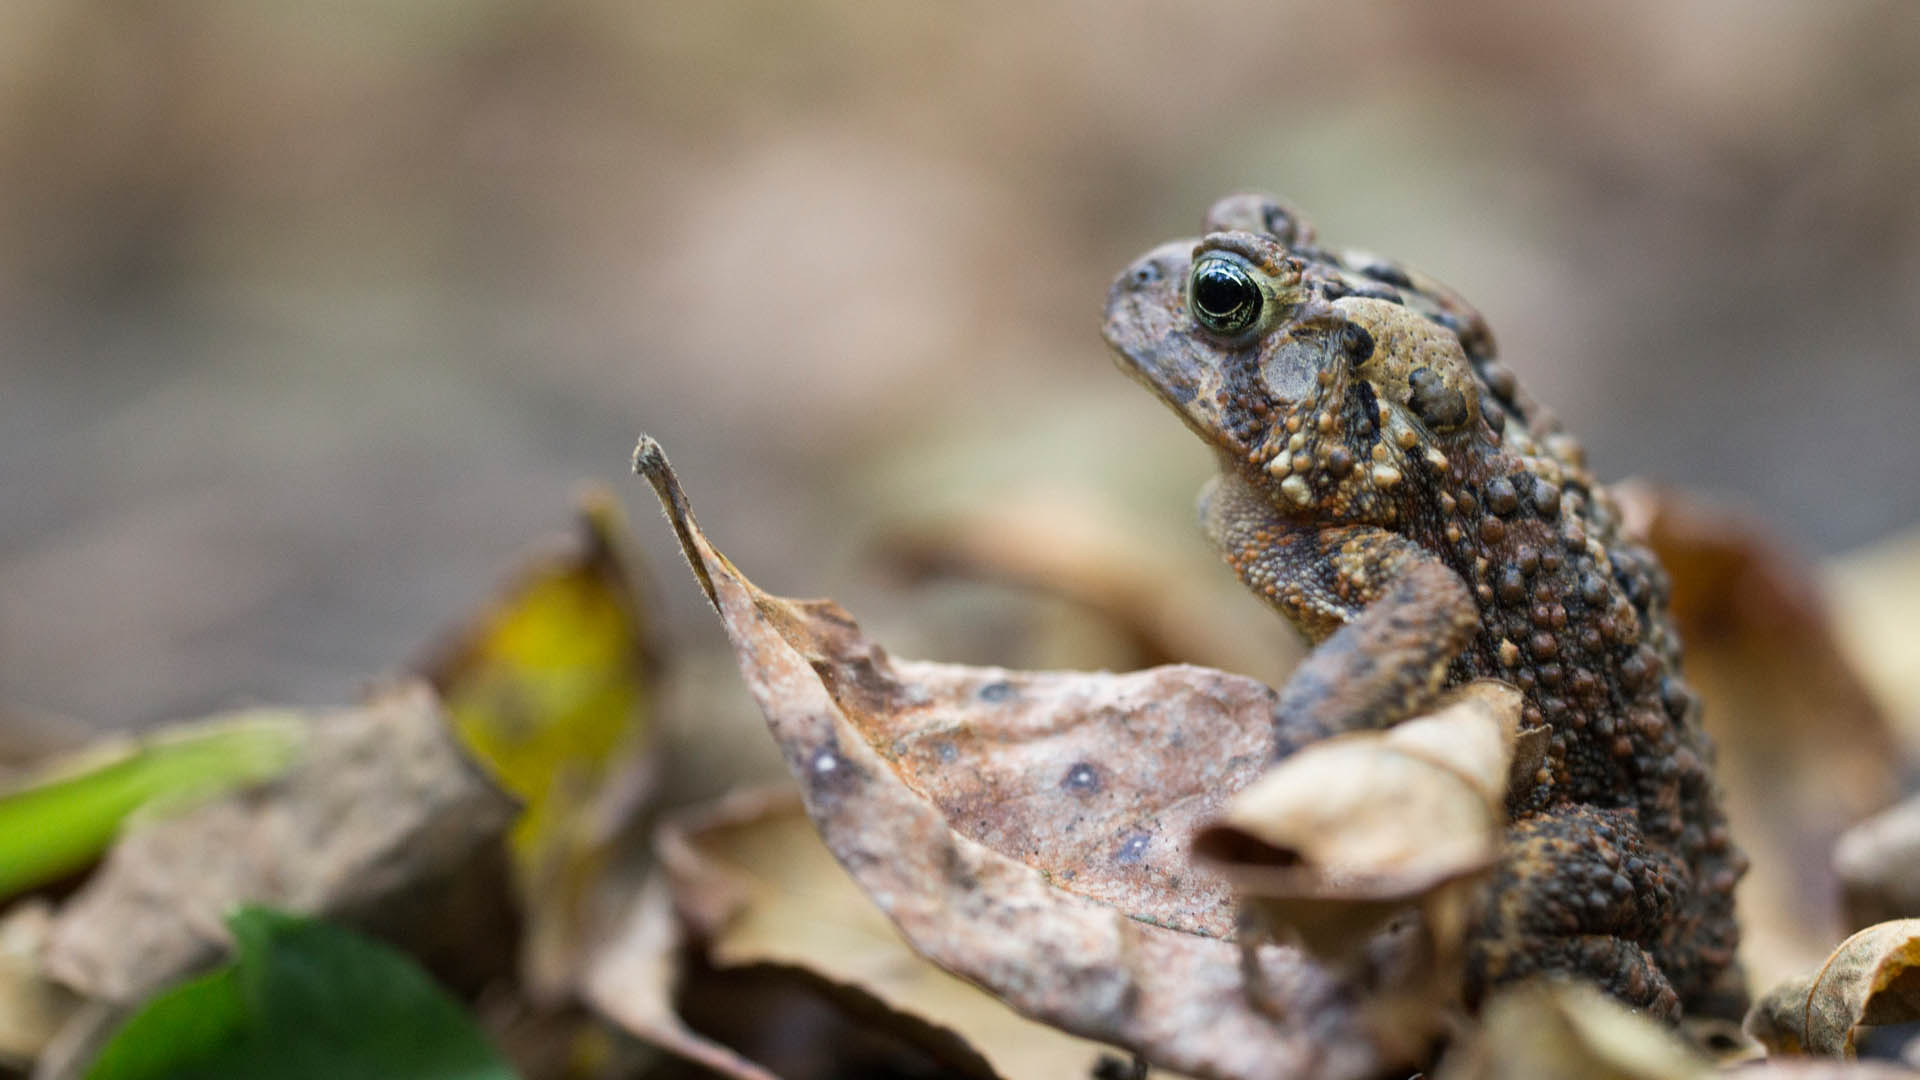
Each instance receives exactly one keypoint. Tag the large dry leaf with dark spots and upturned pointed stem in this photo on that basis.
(1030, 831)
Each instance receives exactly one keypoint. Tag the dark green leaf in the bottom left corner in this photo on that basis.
(302, 1002)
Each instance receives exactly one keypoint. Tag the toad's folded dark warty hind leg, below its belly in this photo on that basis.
(1579, 895)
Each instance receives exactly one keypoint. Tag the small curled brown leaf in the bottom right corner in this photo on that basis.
(1873, 979)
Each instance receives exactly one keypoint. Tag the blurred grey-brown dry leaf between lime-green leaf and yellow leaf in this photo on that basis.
(383, 823)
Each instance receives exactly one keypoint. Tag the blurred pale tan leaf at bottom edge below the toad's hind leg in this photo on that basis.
(1570, 1031)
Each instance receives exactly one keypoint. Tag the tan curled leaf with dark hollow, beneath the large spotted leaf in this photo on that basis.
(757, 889)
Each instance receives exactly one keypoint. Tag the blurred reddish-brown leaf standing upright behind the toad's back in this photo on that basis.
(1788, 714)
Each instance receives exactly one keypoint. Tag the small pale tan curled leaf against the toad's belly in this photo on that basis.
(1358, 827)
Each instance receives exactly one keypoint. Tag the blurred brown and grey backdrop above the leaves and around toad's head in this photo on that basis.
(312, 318)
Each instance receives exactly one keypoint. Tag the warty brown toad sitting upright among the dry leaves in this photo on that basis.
(1389, 489)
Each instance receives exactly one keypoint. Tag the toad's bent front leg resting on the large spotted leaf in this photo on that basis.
(1385, 616)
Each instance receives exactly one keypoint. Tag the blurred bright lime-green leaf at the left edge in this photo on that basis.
(62, 822)
